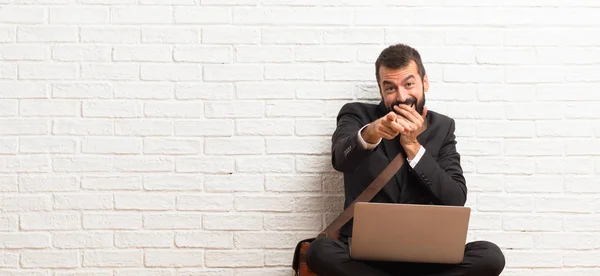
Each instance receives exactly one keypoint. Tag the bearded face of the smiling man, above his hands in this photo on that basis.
(403, 86)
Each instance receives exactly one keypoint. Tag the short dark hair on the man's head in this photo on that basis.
(397, 56)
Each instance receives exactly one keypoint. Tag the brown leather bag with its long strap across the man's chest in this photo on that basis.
(332, 231)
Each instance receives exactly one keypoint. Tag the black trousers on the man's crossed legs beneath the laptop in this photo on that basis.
(327, 257)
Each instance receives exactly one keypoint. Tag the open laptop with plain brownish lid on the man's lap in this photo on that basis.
(409, 232)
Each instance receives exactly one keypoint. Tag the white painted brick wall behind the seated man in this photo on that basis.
(192, 137)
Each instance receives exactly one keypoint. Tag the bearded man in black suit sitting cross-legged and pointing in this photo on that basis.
(368, 137)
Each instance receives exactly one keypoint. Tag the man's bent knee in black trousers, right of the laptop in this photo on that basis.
(491, 261)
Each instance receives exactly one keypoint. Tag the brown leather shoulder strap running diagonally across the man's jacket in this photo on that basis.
(333, 229)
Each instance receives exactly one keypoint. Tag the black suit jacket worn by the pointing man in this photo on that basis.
(436, 179)
